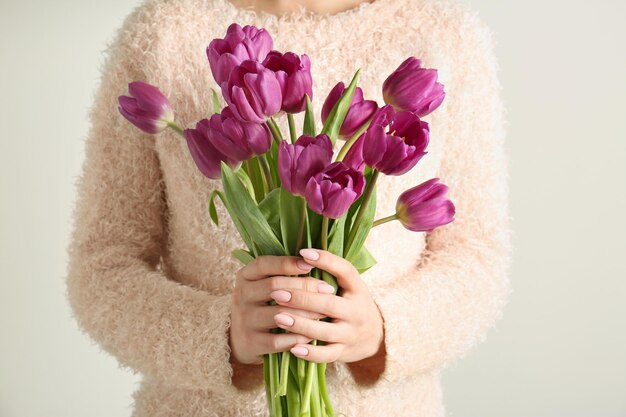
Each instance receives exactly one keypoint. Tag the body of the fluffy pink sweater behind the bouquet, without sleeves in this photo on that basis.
(375, 37)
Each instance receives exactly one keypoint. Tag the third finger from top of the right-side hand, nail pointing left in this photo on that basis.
(315, 329)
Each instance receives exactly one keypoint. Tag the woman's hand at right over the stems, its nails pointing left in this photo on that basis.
(356, 331)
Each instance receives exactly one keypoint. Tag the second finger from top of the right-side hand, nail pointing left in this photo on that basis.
(327, 304)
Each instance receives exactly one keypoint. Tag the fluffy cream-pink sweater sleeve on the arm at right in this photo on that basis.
(443, 307)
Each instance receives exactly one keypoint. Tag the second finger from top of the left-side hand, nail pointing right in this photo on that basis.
(259, 291)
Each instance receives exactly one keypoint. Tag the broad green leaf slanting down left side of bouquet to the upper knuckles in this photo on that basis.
(246, 210)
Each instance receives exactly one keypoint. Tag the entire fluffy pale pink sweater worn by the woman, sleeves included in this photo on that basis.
(150, 277)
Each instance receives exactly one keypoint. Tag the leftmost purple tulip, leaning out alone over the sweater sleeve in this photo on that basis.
(148, 108)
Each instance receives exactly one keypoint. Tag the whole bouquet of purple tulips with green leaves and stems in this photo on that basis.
(283, 194)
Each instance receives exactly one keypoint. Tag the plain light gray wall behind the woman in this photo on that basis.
(560, 349)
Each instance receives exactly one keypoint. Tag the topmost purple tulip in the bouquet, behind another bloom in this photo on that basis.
(238, 45)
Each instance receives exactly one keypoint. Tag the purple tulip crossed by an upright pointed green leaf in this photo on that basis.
(359, 112)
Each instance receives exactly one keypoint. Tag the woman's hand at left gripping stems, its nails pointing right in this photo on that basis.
(251, 316)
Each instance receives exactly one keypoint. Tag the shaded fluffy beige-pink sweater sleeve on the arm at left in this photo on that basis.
(117, 291)
